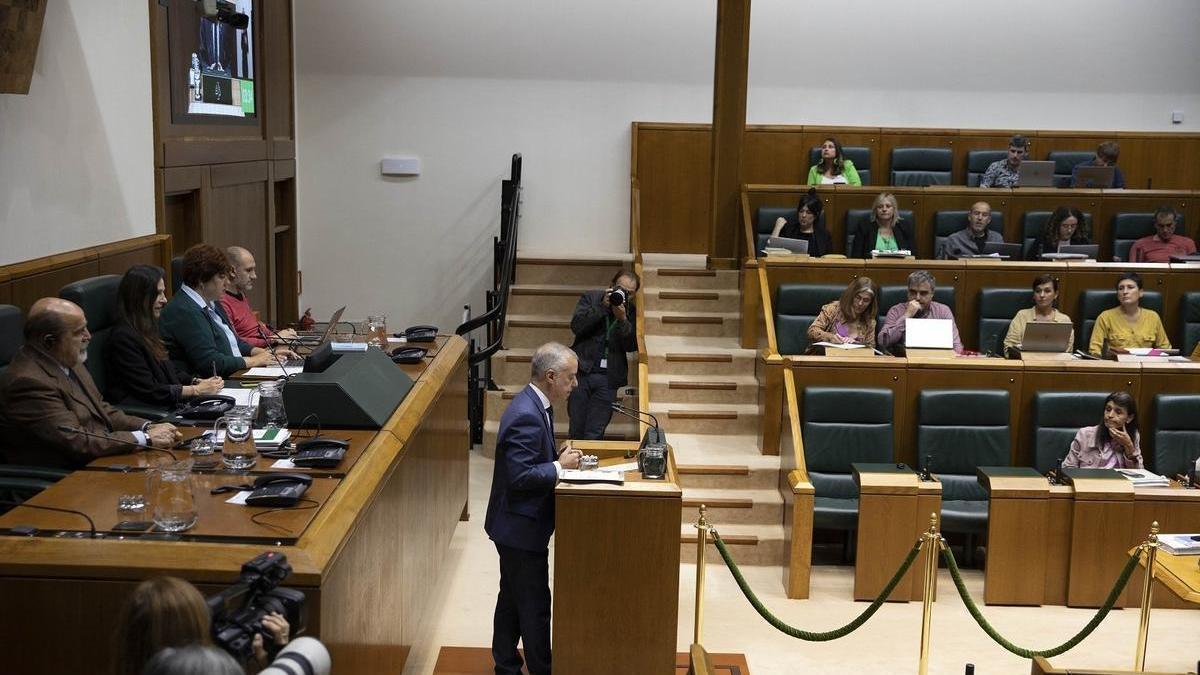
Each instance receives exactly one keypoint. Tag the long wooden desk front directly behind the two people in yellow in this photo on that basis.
(968, 278)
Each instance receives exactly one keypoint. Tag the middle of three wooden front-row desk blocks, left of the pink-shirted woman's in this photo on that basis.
(1018, 518)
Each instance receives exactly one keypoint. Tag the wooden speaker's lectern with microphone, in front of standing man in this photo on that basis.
(617, 570)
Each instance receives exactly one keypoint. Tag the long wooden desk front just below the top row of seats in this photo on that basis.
(925, 202)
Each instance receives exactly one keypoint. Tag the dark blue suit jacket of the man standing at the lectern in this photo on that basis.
(521, 509)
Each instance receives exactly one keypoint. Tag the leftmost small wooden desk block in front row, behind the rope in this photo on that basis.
(893, 512)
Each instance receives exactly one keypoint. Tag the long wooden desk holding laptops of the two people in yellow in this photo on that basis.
(907, 378)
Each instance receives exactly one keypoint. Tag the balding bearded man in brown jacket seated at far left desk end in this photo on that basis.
(46, 390)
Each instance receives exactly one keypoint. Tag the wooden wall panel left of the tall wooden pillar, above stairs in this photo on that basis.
(675, 193)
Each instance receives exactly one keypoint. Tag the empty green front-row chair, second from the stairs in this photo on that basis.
(958, 432)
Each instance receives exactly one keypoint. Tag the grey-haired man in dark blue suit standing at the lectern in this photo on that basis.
(521, 511)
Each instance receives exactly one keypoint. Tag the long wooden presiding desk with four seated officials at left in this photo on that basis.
(368, 560)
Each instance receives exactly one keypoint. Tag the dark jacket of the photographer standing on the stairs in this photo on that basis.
(590, 326)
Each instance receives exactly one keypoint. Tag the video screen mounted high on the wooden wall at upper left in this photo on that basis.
(221, 70)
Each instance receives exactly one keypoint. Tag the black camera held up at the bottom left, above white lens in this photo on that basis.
(238, 612)
